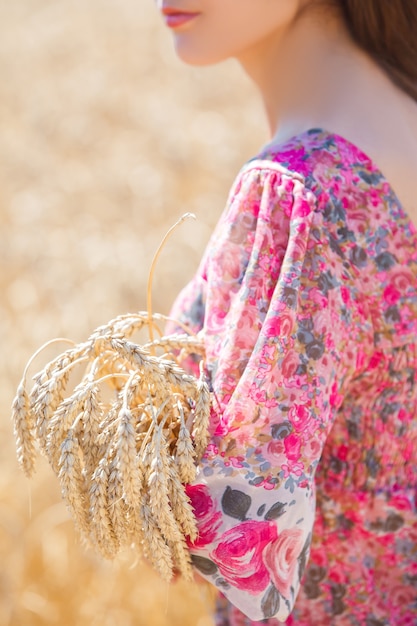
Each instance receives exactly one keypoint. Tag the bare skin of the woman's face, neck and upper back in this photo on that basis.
(309, 73)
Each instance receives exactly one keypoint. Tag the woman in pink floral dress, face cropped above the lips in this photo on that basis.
(307, 294)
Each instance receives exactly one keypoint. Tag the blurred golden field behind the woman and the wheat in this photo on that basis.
(105, 140)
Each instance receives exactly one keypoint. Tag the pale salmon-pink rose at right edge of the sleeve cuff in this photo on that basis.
(280, 558)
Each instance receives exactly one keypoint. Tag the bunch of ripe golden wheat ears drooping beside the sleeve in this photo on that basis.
(123, 441)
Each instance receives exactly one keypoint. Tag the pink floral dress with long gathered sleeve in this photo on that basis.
(307, 295)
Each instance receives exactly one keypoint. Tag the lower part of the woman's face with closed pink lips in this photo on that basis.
(209, 31)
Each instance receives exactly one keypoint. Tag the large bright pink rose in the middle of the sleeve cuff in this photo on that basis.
(239, 555)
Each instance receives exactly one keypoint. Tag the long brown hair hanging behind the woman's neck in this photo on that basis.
(387, 31)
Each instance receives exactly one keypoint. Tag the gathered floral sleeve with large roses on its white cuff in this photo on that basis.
(280, 348)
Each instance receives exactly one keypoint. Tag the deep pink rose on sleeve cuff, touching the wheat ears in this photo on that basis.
(208, 517)
